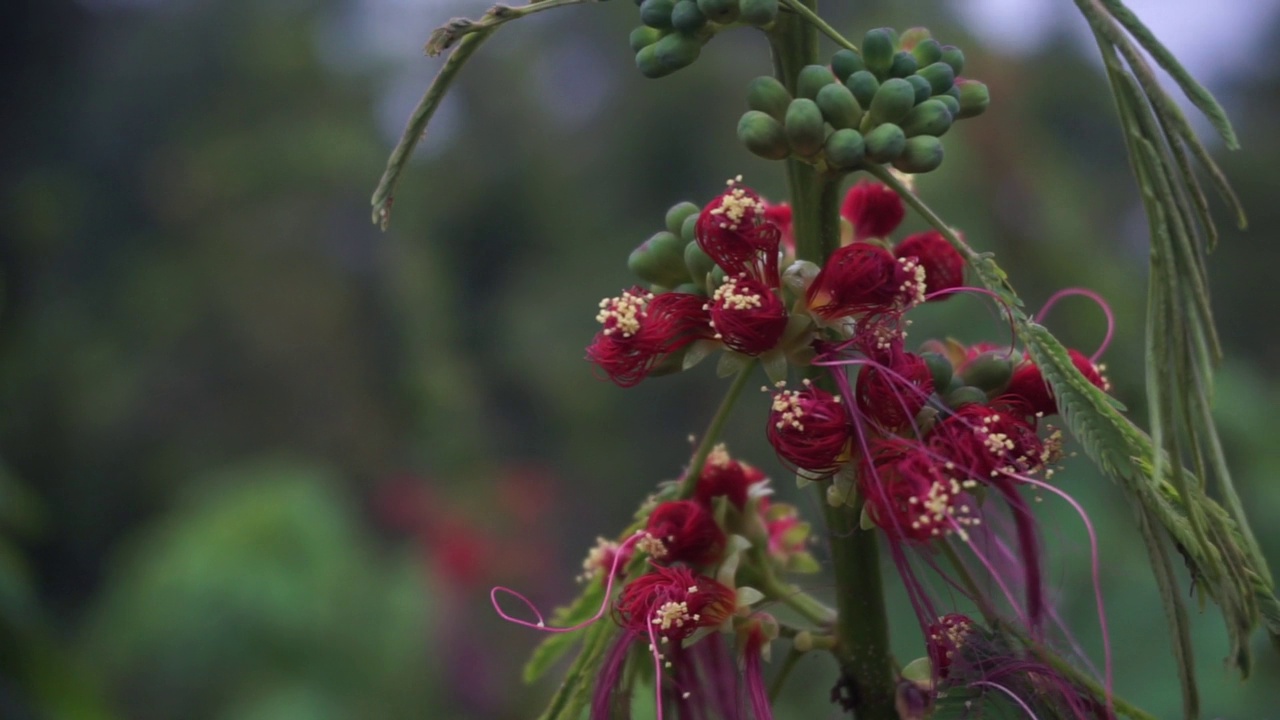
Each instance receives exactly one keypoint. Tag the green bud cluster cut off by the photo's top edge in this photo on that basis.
(674, 31)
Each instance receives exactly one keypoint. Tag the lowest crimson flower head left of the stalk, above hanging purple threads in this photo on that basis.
(674, 603)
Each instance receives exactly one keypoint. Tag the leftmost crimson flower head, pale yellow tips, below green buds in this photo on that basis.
(639, 330)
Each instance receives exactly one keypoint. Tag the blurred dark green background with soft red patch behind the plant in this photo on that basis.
(262, 461)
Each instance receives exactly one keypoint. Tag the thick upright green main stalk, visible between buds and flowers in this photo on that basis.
(862, 627)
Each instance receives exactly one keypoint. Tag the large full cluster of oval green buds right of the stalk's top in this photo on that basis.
(890, 104)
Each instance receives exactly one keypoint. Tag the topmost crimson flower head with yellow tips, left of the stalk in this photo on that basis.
(735, 233)
